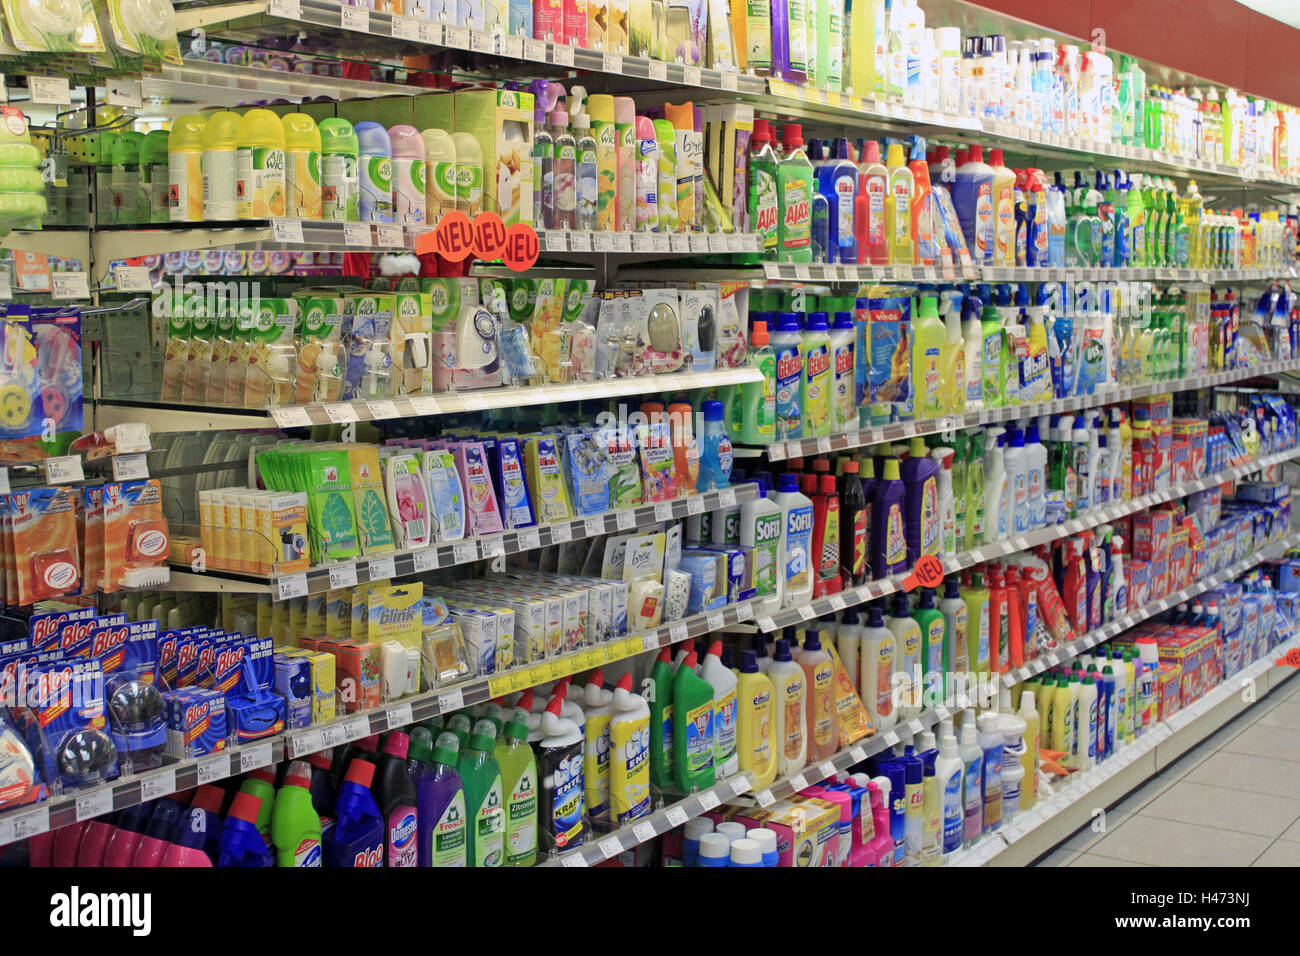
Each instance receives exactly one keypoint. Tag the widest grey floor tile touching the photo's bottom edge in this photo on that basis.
(1171, 843)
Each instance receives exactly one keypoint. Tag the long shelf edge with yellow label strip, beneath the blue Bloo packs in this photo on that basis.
(94, 802)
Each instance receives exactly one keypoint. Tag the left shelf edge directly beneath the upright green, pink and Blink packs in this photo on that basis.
(346, 574)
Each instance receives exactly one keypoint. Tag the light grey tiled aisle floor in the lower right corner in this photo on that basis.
(1227, 803)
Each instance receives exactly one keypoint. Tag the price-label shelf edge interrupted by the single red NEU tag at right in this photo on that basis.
(872, 591)
